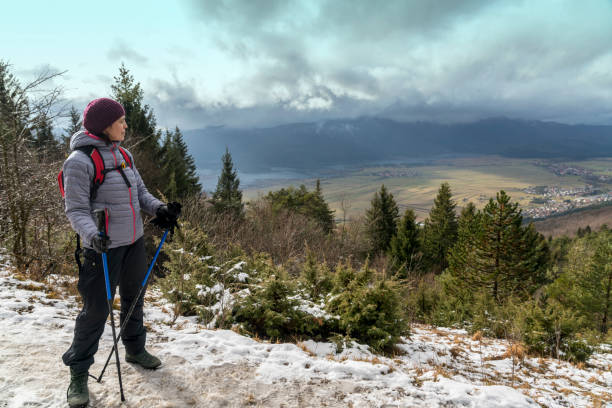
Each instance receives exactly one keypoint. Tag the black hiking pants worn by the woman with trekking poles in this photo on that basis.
(126, 267)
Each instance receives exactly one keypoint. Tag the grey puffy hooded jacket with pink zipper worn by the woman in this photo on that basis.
(123, 204)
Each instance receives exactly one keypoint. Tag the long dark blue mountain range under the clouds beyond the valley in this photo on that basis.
(310, 146)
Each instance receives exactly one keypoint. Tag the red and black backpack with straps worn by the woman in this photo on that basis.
(99, 176)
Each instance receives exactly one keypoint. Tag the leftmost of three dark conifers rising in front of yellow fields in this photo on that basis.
(381, 220)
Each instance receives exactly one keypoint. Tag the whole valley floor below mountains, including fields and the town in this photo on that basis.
(543, 188)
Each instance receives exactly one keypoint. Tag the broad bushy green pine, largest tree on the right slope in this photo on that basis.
(494, 251)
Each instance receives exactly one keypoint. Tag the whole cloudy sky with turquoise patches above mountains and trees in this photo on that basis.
(260, 63)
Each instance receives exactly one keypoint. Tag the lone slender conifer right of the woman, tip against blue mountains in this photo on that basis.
(227, 198)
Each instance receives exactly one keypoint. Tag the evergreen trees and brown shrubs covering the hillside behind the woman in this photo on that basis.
(364, 280)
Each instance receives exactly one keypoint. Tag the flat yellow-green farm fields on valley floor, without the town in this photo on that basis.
(471, 179)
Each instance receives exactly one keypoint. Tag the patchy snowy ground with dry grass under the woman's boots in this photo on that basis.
(220, 368)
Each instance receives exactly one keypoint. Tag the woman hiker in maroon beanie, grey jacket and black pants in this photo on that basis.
(122, 195)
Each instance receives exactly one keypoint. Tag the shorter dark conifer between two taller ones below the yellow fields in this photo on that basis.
(404, 246)
